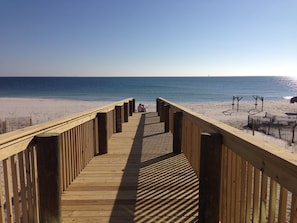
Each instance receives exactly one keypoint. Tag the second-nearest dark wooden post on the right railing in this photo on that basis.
(177, 132)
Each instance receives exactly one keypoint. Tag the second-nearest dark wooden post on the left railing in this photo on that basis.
(102, 132)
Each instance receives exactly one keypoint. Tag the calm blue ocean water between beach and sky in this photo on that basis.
(176, 89)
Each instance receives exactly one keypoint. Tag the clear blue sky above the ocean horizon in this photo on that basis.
(148, 37)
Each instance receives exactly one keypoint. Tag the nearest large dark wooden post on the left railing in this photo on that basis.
(48, 164)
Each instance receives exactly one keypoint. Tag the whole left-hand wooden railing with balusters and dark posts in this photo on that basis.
(41, 161)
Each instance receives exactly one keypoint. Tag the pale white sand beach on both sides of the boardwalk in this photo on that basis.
(42, 110)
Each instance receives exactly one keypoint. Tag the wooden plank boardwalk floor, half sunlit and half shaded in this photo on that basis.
(139, 180)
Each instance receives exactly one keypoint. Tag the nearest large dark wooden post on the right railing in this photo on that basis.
(210, 177)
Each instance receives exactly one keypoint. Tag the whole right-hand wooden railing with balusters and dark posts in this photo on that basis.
(242, 178)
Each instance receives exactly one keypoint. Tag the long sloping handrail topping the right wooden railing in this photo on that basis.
(261, 154)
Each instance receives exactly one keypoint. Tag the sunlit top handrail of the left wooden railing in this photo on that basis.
(26, 135)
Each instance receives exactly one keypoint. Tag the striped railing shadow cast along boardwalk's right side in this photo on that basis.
(161, 185)
